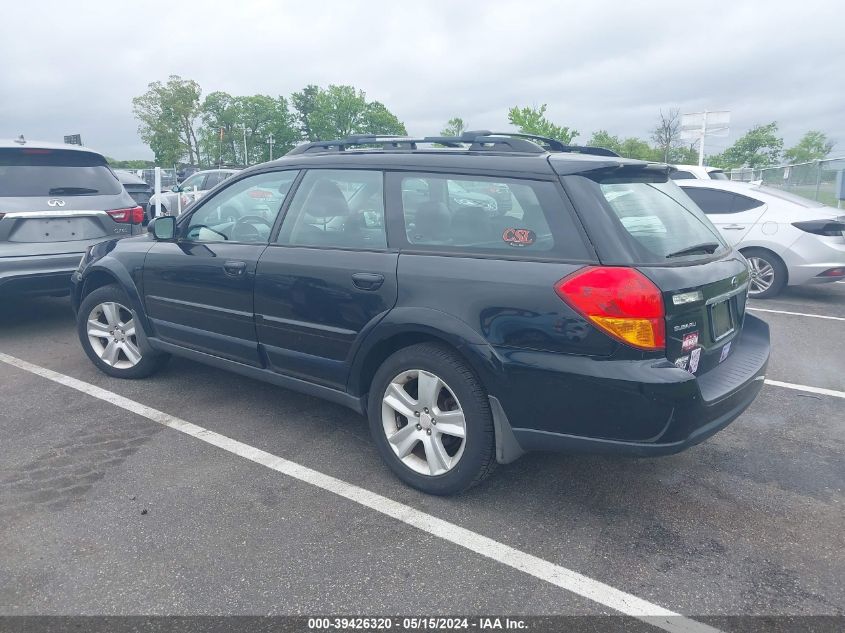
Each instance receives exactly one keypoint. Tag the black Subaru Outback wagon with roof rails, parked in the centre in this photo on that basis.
(476, 297)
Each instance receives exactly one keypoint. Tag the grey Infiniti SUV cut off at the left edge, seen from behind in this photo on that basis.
(55, 201)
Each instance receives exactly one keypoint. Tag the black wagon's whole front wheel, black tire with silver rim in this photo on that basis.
(110, 335)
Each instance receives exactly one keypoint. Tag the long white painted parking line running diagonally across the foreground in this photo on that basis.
(539, 568)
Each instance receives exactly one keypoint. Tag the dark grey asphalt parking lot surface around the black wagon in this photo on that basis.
(104, 511)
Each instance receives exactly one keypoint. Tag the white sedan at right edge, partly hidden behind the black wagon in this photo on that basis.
(787, 239)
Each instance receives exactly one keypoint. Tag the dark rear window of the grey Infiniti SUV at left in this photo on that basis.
(27, 172)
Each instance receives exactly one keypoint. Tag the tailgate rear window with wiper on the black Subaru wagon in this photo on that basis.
(659, 222)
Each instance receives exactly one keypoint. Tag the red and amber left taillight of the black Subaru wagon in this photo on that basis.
(620, 301)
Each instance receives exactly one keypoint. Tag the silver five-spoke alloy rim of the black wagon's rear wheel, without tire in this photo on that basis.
(423, 422)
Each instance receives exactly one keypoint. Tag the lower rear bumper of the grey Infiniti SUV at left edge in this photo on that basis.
(37, 274)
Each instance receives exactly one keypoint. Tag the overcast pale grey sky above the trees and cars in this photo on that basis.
(74, 67)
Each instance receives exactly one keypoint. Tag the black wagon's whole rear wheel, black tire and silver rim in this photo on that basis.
(430, 419)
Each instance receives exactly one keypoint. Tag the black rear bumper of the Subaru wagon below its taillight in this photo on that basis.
(640, 408)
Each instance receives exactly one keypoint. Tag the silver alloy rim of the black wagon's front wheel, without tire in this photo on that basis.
(111, 333)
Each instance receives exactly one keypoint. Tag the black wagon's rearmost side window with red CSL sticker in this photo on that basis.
(470, 214)
